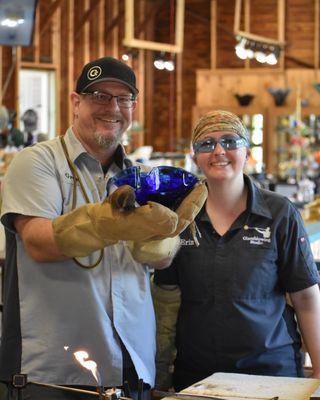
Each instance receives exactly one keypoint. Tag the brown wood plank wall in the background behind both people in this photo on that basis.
(71, 32)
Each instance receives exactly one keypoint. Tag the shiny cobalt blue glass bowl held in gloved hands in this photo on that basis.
(164, 185)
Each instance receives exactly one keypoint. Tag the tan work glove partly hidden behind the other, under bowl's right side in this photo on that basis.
(158, 250)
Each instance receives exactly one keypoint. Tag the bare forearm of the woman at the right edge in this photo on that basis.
(307, 307)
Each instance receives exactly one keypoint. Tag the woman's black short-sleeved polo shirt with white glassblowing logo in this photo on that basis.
(233, 315)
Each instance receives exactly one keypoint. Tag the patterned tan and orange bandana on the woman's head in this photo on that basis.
(219, 120)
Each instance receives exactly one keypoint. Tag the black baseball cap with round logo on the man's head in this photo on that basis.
(106, 69)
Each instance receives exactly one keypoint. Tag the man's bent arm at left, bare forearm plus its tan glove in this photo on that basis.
(92, 227)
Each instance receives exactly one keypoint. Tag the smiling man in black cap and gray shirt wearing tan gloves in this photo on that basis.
(71, 281)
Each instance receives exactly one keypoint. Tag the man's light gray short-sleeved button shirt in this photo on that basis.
(60, 307)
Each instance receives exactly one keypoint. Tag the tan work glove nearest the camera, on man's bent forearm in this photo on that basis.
(93, 226)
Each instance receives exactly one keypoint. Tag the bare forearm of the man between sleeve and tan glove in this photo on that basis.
(38, 239)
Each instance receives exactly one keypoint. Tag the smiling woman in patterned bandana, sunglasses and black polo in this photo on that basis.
(253, 250)
